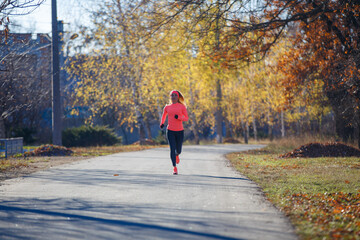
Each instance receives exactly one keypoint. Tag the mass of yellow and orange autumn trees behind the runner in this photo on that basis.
(271, 71)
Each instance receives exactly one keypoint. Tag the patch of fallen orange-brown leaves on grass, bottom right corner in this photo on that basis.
(323, 210)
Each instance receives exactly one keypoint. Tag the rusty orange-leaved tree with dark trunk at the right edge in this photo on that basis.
(325, 47)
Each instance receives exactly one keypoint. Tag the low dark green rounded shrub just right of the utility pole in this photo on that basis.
(85, 136)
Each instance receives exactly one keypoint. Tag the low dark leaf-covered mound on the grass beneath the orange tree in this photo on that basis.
(313, 150)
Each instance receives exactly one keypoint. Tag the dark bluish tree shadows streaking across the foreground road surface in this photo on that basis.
(98, 220)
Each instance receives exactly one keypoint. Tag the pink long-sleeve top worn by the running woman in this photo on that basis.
(172, 110)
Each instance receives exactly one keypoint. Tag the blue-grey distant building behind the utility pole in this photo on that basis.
(27, 57)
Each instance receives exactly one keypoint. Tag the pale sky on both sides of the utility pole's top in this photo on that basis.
(73, 13)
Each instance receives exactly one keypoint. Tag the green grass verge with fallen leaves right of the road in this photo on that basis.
(321, 196)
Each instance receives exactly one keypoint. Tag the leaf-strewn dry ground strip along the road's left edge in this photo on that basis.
(23, 166)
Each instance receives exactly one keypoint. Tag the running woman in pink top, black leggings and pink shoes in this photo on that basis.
(176, 111)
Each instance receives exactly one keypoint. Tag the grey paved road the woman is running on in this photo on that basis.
(84, 200)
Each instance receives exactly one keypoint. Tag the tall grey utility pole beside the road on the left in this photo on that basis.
(56, 104)
